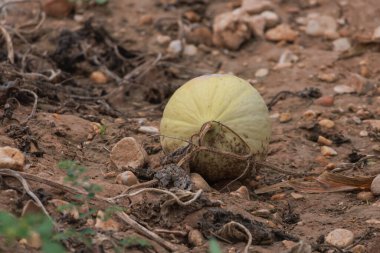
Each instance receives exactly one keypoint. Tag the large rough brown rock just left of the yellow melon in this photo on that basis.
(128, 153)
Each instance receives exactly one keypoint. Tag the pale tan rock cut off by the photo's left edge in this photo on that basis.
(11, 158)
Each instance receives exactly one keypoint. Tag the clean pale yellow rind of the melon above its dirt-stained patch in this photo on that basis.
(223, 98)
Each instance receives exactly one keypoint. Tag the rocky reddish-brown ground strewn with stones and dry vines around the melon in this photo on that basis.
(88, 83)
